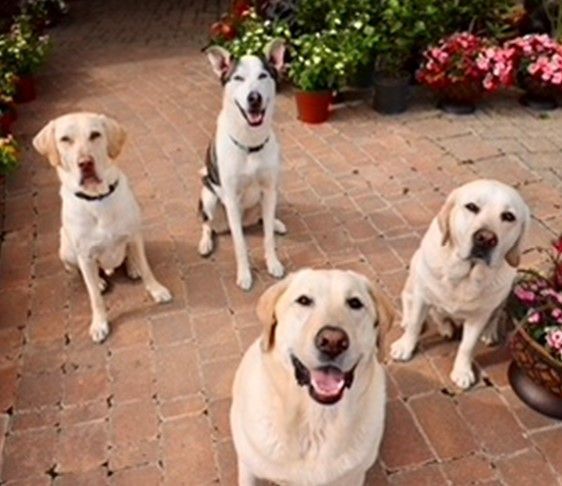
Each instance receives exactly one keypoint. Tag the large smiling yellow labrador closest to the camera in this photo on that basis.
(309, 395)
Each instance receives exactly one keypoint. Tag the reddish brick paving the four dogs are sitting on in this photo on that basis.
(150, 405)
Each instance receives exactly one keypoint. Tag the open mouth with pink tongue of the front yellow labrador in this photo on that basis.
(326, 384)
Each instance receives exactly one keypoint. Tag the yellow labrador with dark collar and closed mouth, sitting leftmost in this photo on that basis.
(101, 220)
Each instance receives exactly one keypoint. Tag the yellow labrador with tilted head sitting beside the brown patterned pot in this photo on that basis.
(464, 269)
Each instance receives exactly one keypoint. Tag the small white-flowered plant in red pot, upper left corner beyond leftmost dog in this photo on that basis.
(24, 53)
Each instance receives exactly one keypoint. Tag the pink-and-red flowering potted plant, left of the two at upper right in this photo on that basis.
(461, 68)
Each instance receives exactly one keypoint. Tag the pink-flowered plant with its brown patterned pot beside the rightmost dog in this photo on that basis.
(535, 306)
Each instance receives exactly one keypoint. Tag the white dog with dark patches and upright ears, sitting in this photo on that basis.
(243, 161)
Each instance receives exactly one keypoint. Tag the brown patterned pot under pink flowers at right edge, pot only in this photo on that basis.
(535, 376)
